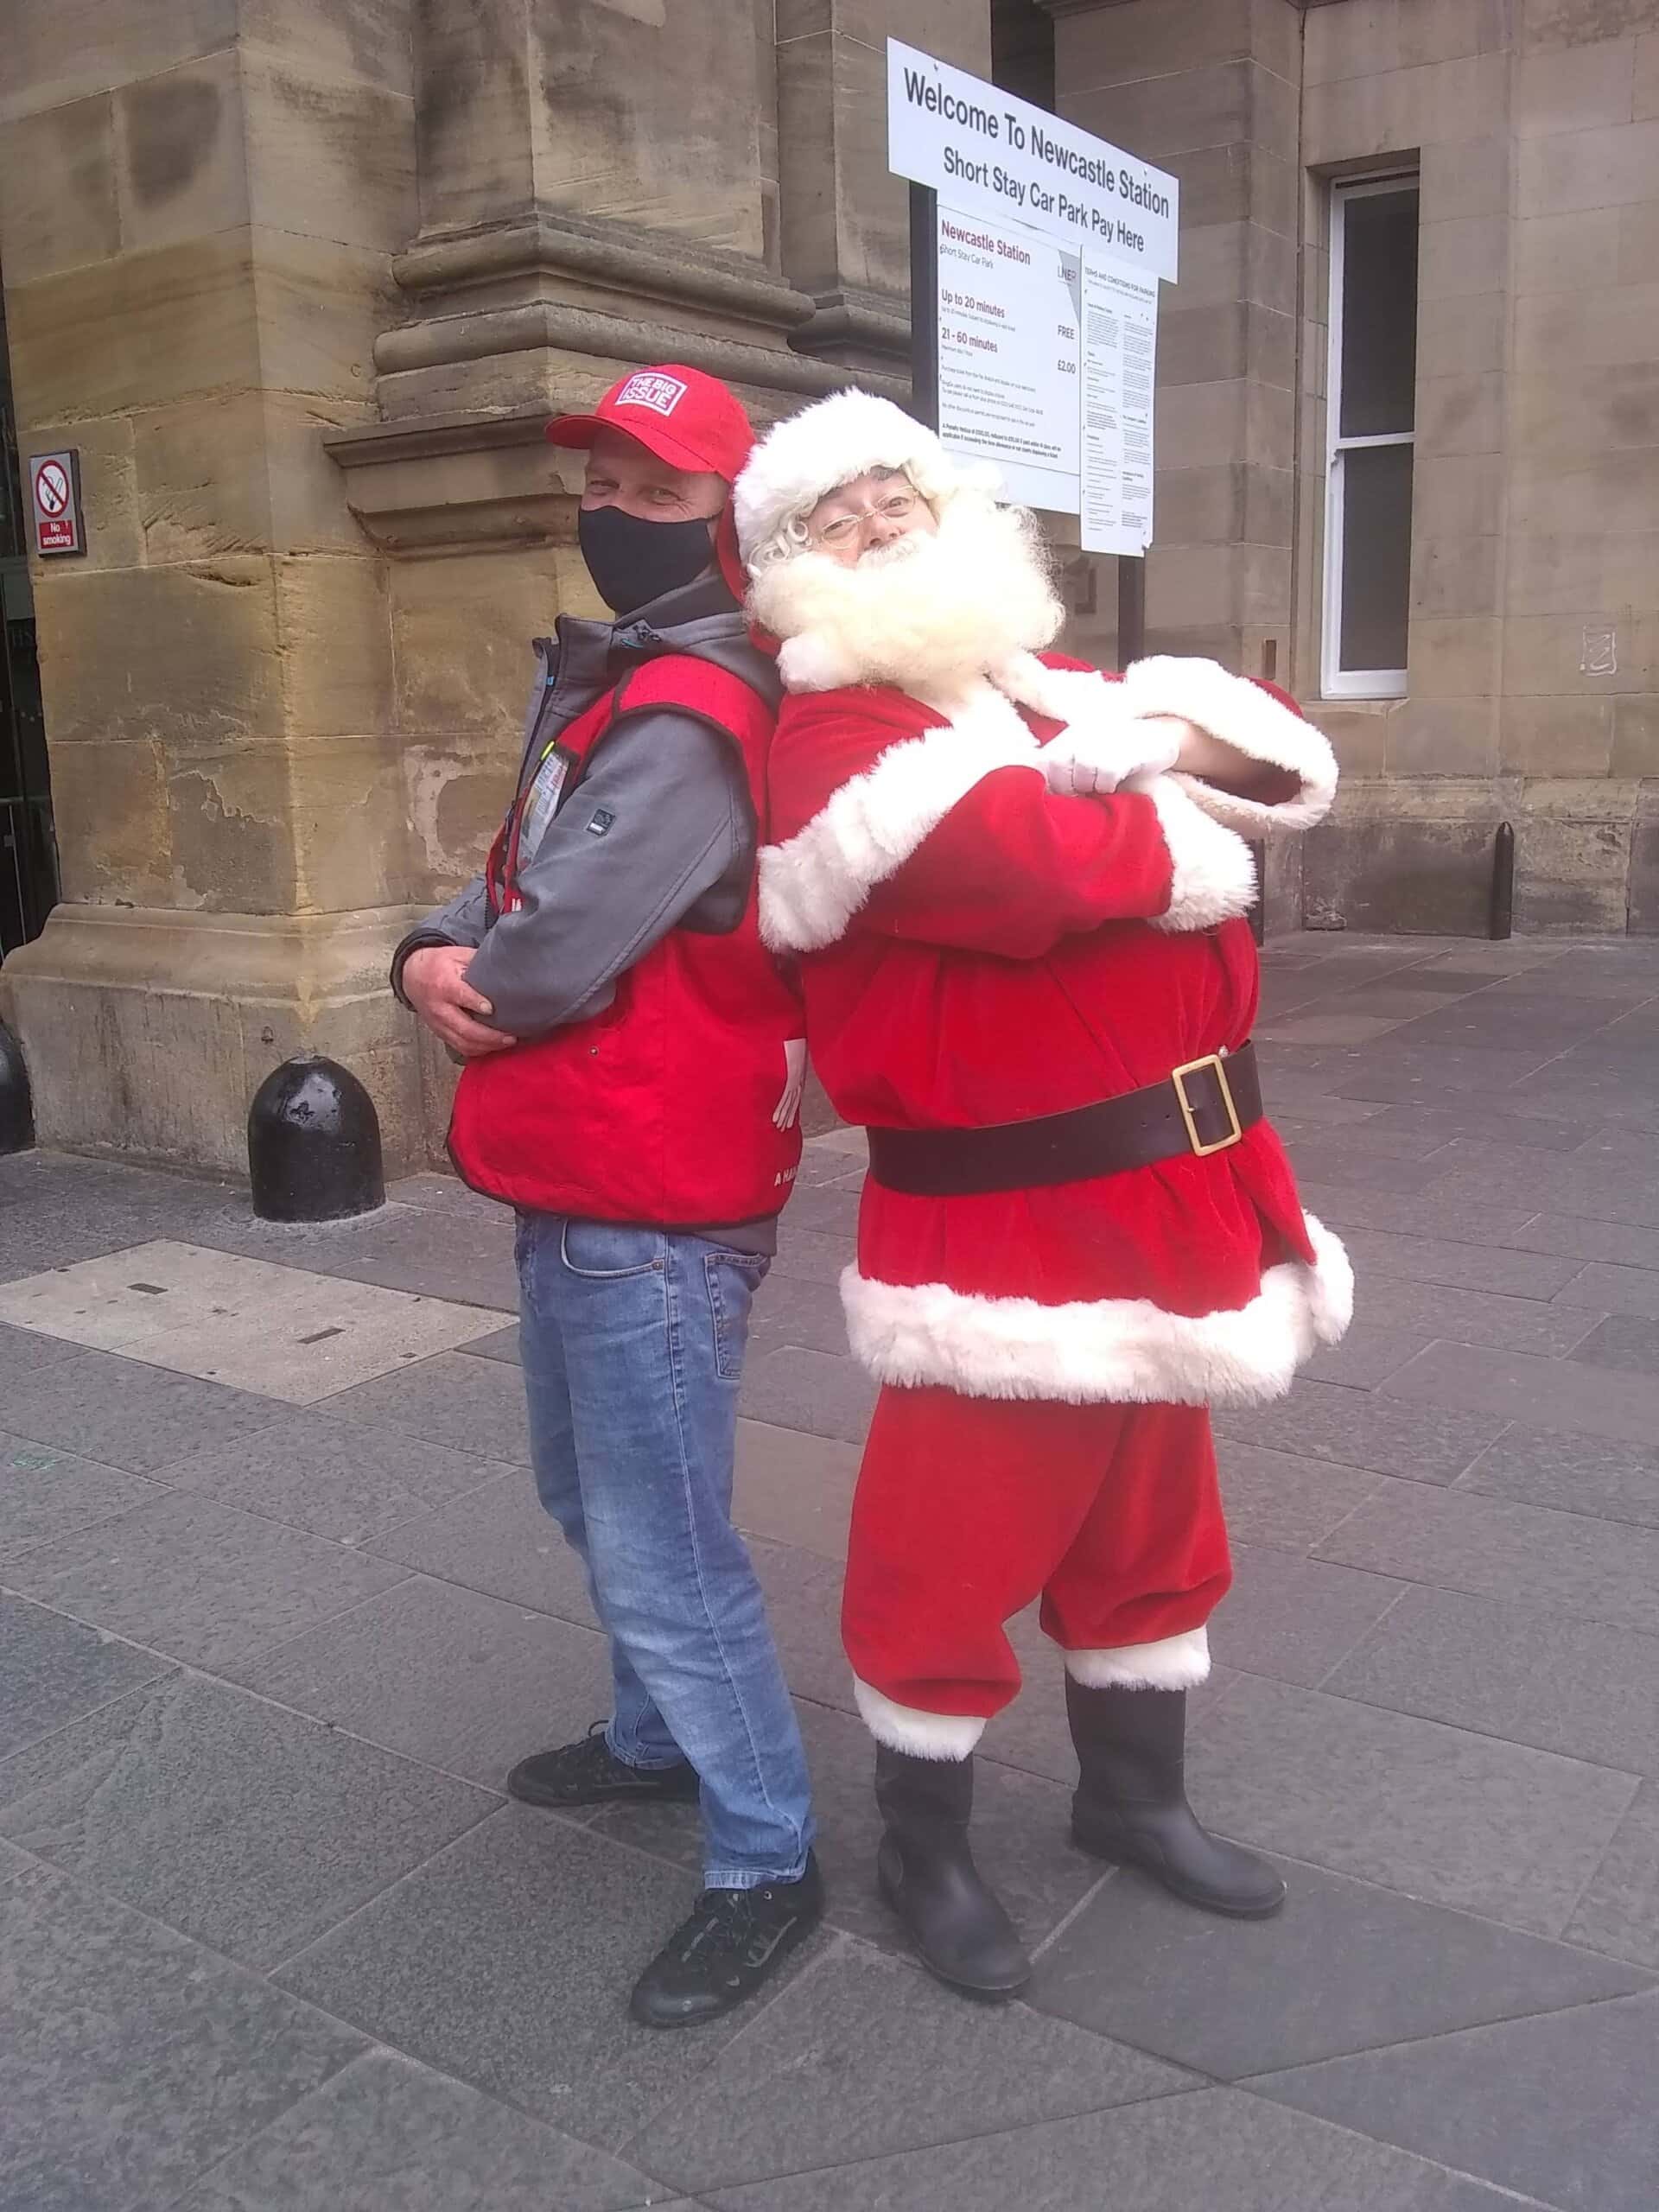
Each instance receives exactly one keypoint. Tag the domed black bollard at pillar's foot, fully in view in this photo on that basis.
(313, 1145)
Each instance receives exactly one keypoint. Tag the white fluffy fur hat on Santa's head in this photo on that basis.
(826, 448)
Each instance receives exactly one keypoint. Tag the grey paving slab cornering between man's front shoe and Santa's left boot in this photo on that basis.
(870, 2052)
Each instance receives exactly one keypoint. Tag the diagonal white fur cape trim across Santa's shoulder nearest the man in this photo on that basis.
(815, 884)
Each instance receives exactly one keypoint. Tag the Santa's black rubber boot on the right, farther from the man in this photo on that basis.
(1131, 1804)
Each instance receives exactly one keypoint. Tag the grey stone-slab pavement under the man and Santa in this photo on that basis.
(273, 1939)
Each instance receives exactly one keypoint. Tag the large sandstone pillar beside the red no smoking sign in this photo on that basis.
(198, 225)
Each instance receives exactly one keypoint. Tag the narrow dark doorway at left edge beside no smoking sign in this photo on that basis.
(28, 851)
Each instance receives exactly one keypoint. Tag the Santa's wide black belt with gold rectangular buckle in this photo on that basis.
(1202, 1107)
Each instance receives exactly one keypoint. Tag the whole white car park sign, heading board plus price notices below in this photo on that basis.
(1052, 247)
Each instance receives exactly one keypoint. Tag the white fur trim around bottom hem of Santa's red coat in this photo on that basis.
(1103, 1350)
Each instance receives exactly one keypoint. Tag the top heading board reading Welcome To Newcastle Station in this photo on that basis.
(990, 154)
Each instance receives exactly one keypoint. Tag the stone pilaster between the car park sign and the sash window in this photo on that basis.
(1209, 92)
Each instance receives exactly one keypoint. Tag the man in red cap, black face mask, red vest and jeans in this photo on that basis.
(632, 1085)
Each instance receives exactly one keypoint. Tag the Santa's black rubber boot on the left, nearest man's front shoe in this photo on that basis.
(926, 1870)
